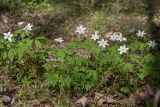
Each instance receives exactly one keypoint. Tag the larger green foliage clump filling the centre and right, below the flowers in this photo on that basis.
(82, 74)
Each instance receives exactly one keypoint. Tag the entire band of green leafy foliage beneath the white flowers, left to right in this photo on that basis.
(79, 66)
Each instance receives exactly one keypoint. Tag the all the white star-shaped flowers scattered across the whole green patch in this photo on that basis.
(113, 36)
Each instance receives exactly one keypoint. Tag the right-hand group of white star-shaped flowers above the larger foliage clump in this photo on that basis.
(113, 36)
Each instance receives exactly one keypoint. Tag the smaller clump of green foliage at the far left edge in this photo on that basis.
(21, 57)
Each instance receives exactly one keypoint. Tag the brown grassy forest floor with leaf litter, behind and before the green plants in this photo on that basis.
(58, 24)
